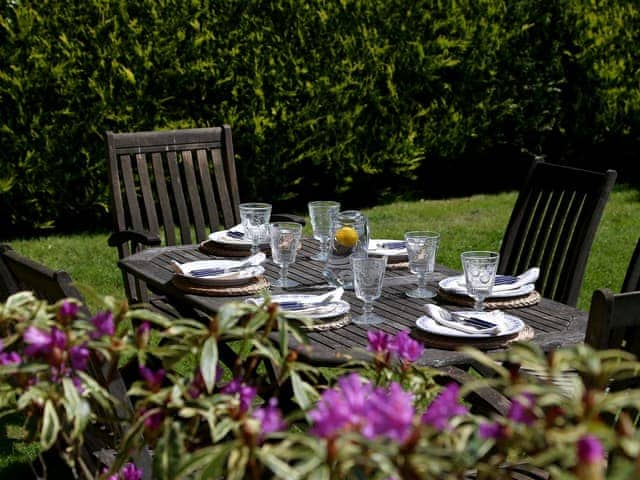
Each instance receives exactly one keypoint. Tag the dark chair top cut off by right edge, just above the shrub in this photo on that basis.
(614, 321)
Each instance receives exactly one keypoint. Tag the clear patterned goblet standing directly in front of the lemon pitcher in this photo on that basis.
(368, 273)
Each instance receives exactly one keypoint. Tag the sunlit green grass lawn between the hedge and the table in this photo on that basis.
(475, 222)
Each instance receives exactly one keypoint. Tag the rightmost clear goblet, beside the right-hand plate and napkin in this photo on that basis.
(479, 274)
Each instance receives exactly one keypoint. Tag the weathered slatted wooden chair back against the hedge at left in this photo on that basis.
(167, 181)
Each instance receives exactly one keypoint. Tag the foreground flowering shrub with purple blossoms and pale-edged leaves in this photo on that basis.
(385, 419)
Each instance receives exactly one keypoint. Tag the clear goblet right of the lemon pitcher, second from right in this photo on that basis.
(422, 247)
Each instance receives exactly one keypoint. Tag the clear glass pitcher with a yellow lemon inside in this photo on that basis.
(349, 238)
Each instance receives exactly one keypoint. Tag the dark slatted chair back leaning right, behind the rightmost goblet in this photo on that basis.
(553, 225)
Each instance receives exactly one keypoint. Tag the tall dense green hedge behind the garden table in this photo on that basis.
(360, 100)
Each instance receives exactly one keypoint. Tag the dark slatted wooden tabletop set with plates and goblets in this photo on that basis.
(555, 324)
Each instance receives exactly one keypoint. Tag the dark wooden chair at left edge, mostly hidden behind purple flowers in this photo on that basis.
(19, 273)
